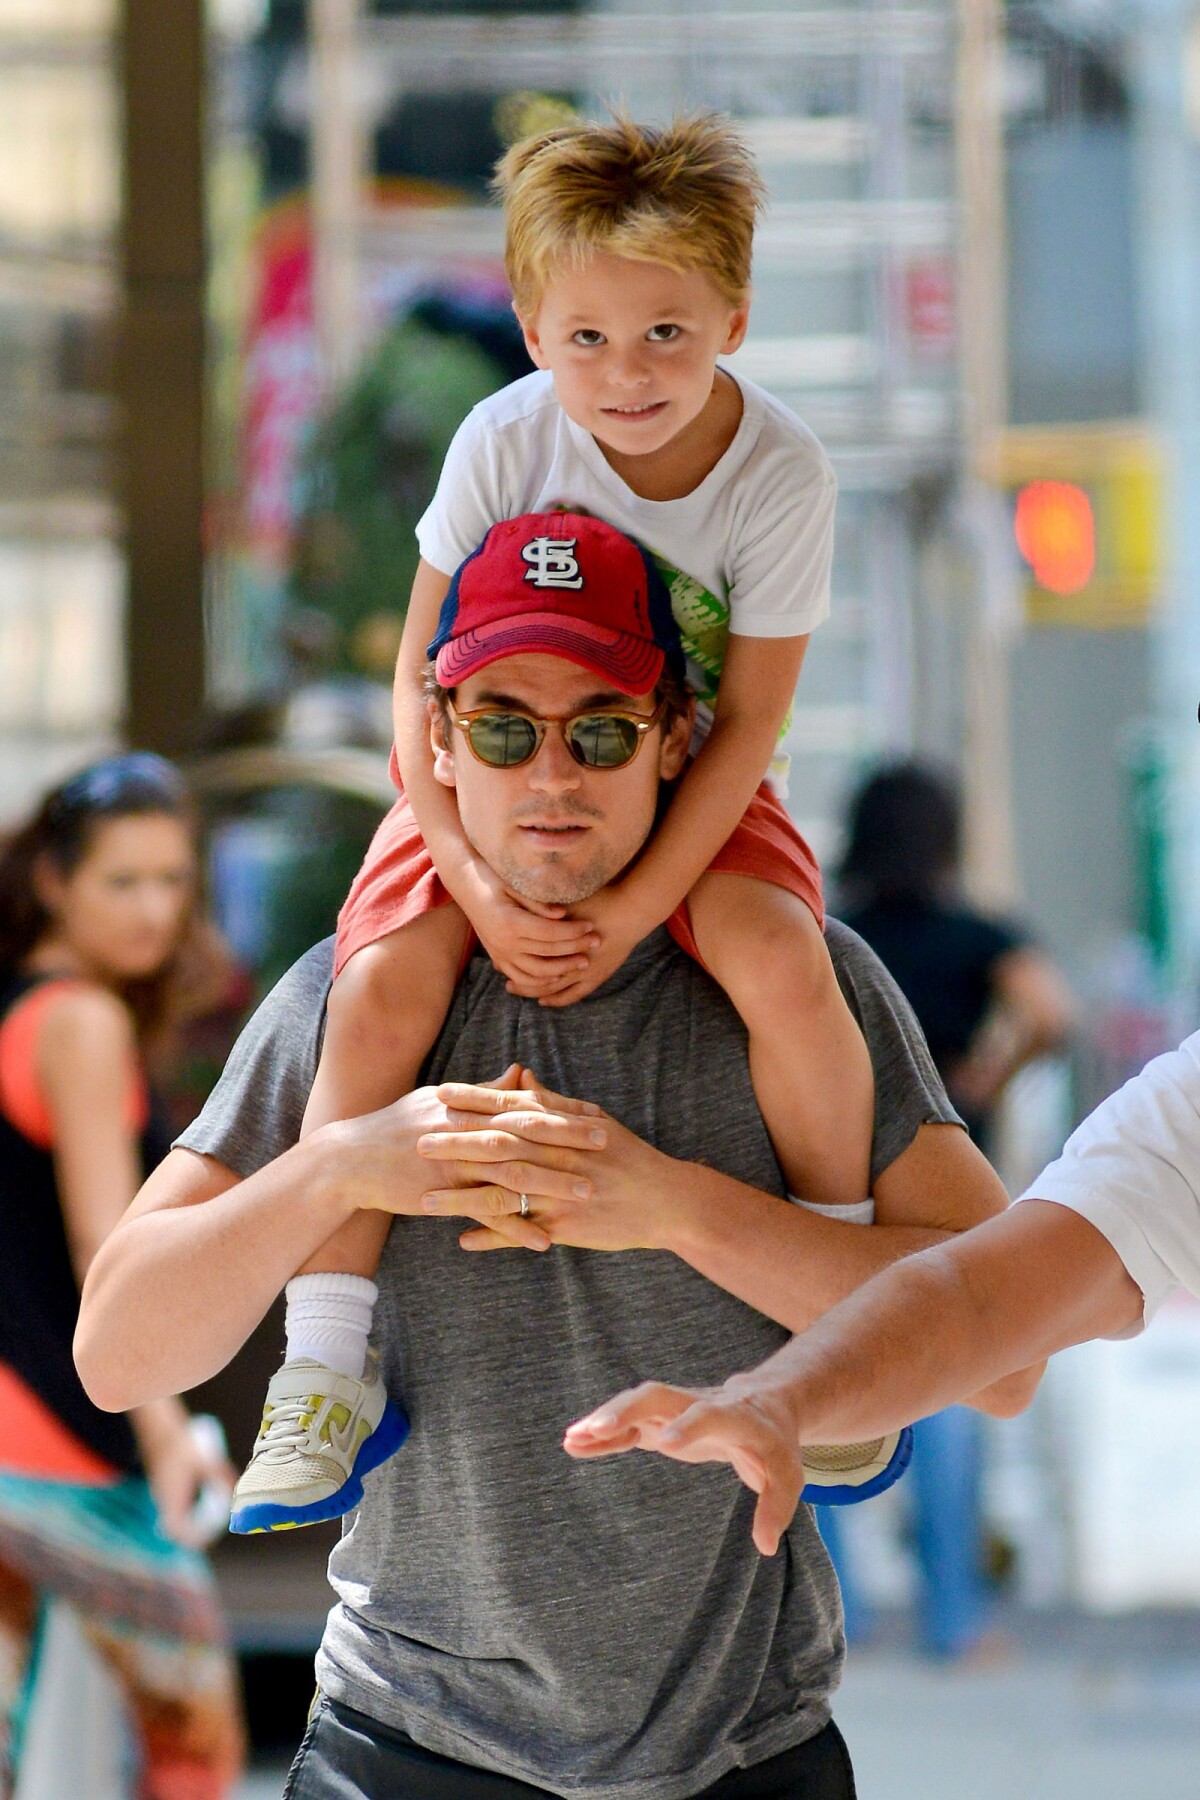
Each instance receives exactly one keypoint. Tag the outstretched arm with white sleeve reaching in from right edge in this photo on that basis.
(1102, 1237)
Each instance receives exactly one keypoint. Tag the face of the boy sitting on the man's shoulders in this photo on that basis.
(632, 348)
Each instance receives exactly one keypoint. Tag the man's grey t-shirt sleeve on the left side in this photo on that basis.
(255, 1111)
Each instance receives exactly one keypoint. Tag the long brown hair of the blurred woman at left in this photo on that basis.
(64, 829)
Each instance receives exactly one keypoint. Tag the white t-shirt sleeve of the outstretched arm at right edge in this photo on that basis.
(1133, 1169)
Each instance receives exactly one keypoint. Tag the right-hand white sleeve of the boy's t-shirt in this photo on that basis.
(780, 577)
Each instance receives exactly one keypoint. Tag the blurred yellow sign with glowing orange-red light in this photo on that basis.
(1057, 478)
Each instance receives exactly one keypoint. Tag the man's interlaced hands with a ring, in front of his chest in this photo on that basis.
(587, 1180)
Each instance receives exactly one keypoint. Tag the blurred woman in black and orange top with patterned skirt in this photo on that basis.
(102, 955)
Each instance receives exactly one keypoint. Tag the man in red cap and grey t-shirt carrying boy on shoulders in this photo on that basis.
(508, 1623)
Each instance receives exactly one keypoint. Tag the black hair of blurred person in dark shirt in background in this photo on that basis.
(904, 838)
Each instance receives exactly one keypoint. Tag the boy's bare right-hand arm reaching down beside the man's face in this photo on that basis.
(758, 683)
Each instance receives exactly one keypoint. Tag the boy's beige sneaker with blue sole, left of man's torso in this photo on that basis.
(321, 1435)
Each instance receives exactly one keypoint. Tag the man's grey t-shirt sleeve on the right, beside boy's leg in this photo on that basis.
(908, 1088)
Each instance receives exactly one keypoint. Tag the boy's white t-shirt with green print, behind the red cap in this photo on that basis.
(749, 550)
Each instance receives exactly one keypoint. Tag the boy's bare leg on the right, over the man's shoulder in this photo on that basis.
(809, 1059)
